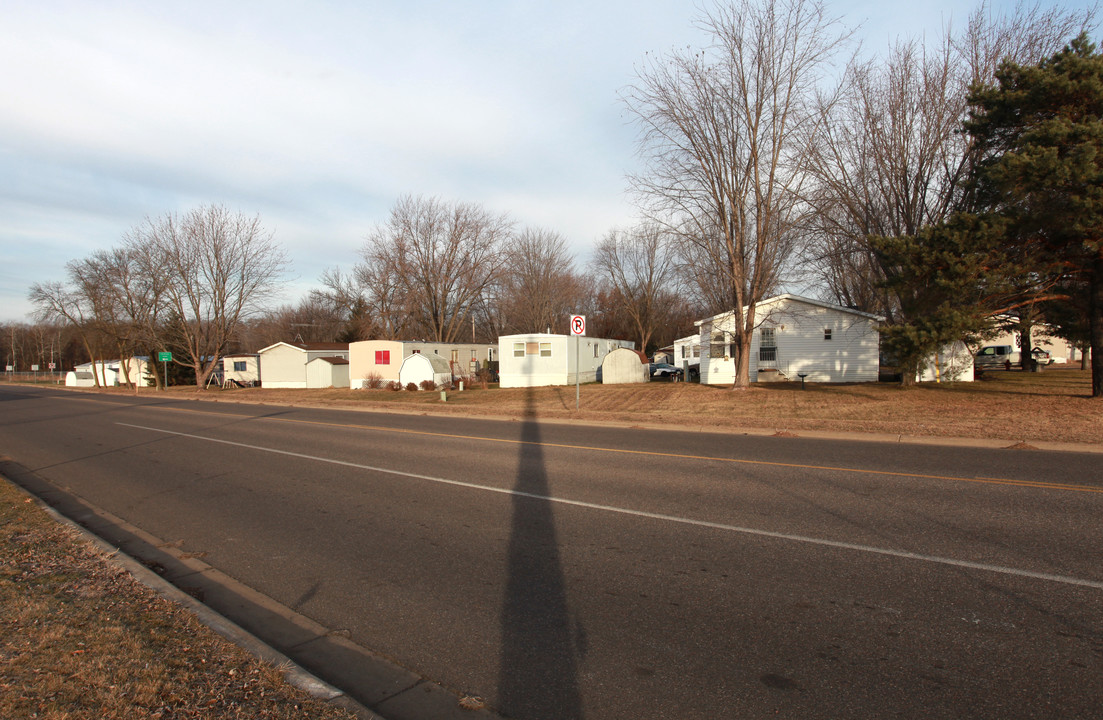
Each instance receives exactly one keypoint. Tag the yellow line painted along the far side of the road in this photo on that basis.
(652, 454)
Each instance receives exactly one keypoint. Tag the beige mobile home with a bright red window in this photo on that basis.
(384, 359)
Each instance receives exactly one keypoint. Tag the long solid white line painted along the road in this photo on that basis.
(659, 517)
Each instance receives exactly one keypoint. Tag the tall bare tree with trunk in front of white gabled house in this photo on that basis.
(725, 138)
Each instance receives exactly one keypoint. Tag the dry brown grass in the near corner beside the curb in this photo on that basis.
(80, 639)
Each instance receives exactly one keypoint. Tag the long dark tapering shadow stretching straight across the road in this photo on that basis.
(539, 675)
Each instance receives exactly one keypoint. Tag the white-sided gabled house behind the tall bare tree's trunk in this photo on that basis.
(795, 337)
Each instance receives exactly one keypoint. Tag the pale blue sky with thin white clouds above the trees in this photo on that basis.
(317, 116)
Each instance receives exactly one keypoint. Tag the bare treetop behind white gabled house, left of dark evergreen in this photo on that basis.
(891, 158)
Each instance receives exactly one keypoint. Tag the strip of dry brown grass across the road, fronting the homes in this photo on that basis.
(1054, 406)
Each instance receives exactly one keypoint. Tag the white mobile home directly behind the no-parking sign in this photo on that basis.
(542, 359)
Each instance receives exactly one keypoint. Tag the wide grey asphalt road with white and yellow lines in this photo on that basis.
(570, 572)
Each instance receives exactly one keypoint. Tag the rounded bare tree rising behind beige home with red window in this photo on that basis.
(432, 262)
